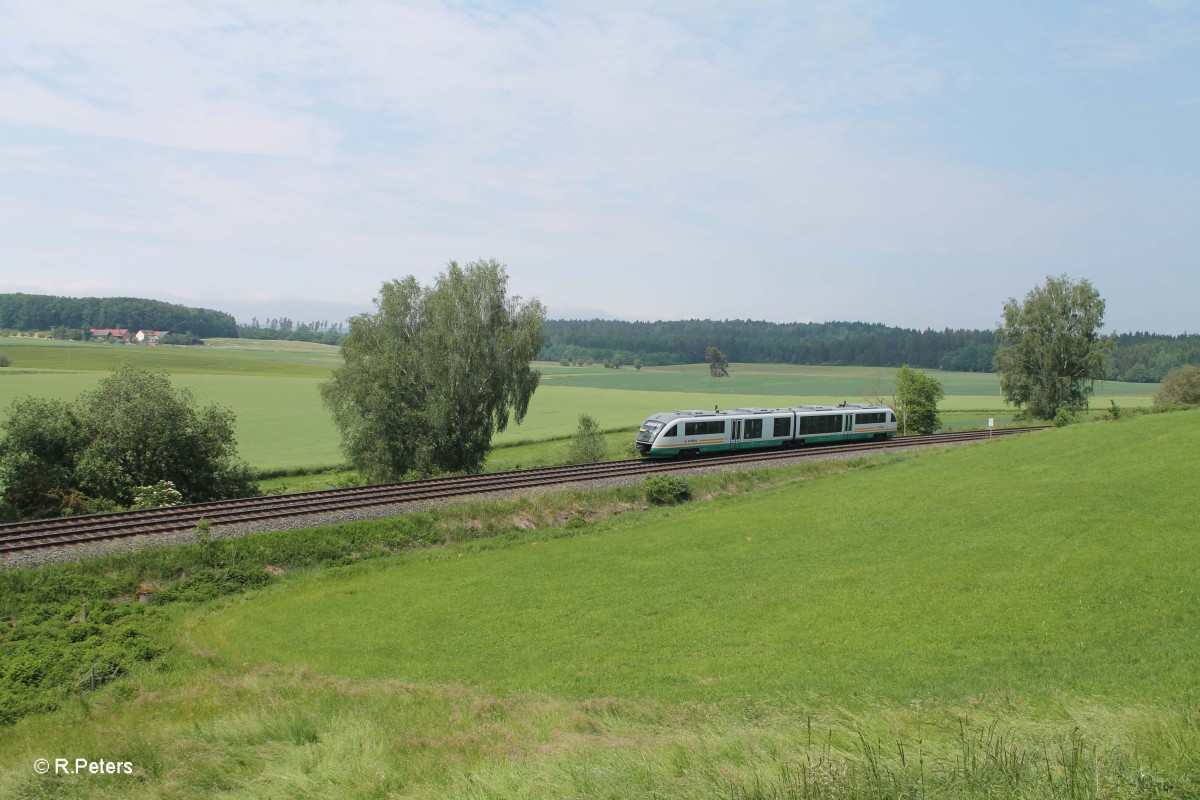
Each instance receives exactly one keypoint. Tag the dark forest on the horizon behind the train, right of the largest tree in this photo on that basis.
(1139, 357)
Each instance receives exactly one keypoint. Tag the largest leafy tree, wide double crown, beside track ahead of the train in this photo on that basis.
(435, 372)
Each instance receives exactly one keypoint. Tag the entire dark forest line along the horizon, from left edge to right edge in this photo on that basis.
(1141, 357)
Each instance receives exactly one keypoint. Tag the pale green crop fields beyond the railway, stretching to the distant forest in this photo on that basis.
(283, 424)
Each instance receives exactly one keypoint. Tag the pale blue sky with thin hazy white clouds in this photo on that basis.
(911, 164)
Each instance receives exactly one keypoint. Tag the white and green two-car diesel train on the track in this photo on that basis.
(689, 434)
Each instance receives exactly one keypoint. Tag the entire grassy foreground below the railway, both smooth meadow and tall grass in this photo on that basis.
(1012, 619)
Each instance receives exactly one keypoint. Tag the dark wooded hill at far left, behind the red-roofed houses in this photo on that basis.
(26, 312)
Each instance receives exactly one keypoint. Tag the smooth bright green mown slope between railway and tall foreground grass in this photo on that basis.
(1057, 563)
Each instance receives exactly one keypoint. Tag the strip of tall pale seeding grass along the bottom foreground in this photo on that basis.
(203, 729)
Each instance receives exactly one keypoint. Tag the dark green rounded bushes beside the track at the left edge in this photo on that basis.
(135, 430)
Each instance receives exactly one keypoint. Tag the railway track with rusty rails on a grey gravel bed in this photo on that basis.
(27, 537)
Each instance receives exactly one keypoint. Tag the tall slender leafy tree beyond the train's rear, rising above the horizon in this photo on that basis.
(1052, 351)
